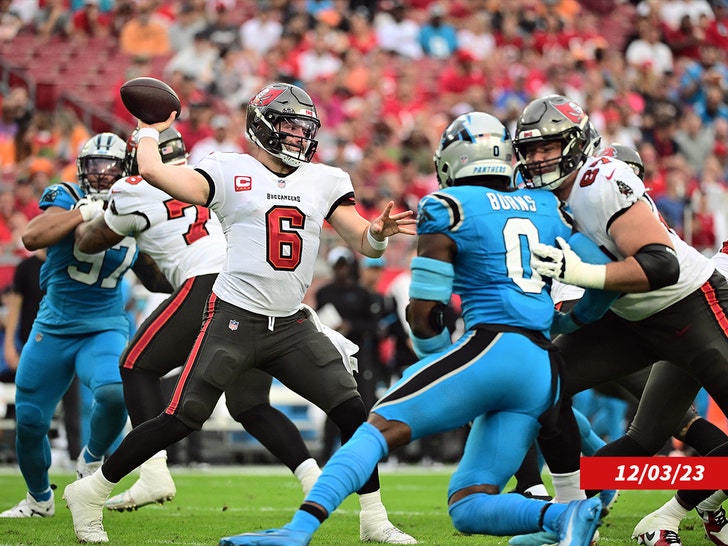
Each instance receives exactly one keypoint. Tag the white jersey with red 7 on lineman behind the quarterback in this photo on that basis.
(184, 240)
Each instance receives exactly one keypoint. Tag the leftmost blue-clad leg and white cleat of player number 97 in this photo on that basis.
(45, 372)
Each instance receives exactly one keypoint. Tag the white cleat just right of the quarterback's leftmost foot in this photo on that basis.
(155, 485)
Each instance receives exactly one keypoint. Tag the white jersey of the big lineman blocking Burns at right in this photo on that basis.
(605, 187)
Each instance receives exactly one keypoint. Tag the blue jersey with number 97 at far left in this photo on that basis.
(82, 292)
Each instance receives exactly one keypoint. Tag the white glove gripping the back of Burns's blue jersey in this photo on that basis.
(564, 264)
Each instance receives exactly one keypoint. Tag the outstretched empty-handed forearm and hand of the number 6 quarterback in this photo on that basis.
(370, 238)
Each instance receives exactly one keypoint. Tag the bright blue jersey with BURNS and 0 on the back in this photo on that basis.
(494, 232)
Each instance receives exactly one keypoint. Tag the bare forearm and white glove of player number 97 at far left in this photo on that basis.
(56, 222)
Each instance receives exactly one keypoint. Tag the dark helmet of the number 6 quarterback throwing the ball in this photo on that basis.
(274, 113)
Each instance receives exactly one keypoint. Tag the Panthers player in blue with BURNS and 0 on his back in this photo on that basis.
(474, 236)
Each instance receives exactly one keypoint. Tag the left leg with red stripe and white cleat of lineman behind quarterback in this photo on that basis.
(161, 343)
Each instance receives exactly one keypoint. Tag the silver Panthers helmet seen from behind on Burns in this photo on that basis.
(475, 149)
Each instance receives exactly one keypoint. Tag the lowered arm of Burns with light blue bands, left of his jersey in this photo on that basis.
(430, 291)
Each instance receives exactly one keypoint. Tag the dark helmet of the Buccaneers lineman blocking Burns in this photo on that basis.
(548, 119)
